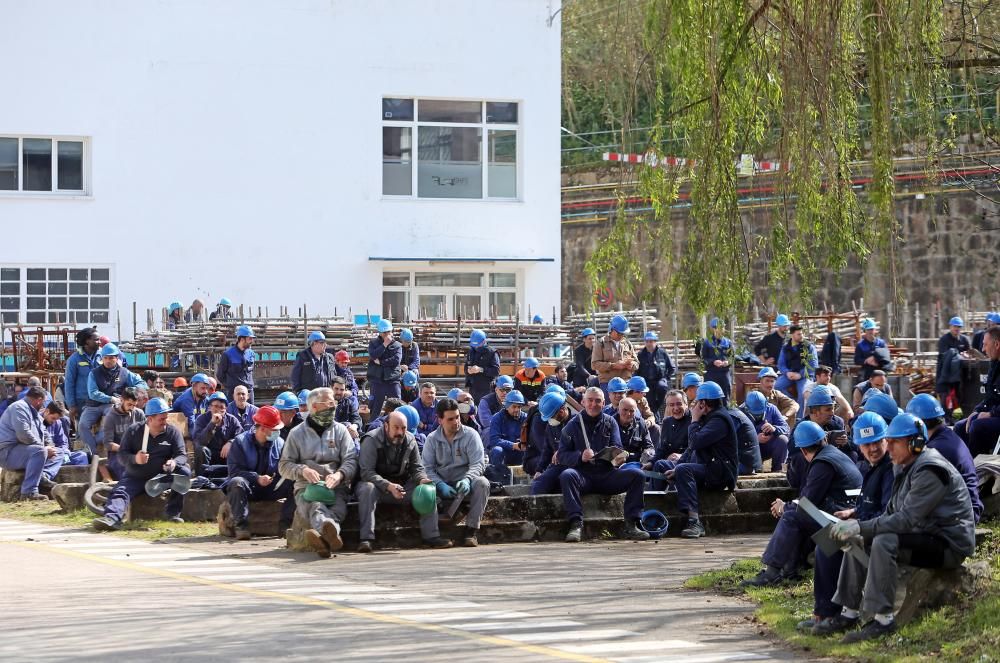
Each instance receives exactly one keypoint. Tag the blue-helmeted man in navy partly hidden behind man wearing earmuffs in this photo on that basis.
(876, 487)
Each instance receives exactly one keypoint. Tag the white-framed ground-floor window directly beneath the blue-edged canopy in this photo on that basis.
(447, 295)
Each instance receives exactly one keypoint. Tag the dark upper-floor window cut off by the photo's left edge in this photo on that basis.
(42, 164)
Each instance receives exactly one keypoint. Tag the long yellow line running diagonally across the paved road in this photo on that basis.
(318, 603)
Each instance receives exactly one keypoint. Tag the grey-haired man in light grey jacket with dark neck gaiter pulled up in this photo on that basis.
(320, 451)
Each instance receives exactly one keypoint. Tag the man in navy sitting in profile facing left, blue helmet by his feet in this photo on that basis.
(711, 458)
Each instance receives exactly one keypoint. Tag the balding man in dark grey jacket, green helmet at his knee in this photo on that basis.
(390, 471)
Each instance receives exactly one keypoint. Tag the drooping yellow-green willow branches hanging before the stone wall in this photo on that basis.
(782, 80)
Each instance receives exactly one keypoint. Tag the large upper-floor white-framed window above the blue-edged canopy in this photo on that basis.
(433, 148)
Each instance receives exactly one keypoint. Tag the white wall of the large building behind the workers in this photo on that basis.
(235, 145)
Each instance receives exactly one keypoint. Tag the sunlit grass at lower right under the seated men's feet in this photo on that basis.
(968, 630)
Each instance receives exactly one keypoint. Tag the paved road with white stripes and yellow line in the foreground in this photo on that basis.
(76, 594)
